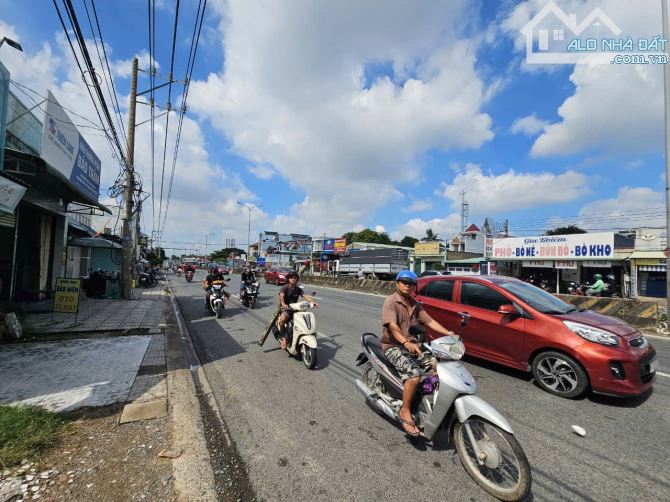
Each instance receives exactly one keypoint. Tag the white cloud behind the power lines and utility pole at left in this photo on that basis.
(200, 187)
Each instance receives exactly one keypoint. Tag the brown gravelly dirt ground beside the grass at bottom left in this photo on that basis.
(98, 459)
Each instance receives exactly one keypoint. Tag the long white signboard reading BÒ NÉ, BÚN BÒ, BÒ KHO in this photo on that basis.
(596, 246)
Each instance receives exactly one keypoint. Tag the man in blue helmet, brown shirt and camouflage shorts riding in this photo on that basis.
(400, 312)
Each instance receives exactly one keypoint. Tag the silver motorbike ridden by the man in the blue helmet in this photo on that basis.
(484, 439)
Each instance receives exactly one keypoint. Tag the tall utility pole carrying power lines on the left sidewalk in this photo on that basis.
(126, 271)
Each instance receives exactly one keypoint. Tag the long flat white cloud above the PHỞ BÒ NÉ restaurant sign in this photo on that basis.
(509, 191)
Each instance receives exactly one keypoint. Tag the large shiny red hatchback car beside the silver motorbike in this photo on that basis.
(514, 323)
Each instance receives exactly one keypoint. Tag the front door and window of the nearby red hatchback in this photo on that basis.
(490, 335)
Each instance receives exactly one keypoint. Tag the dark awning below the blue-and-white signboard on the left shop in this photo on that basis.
(33, 171)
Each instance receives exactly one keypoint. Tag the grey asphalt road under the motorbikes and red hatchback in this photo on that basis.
(309, 435)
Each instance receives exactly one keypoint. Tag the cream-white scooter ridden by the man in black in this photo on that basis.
(301, 330)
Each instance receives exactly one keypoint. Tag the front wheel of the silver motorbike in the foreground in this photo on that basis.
(505, 473)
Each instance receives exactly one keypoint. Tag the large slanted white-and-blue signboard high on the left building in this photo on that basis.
(68, 152)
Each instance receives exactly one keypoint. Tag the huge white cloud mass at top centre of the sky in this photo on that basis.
(293, 95)
